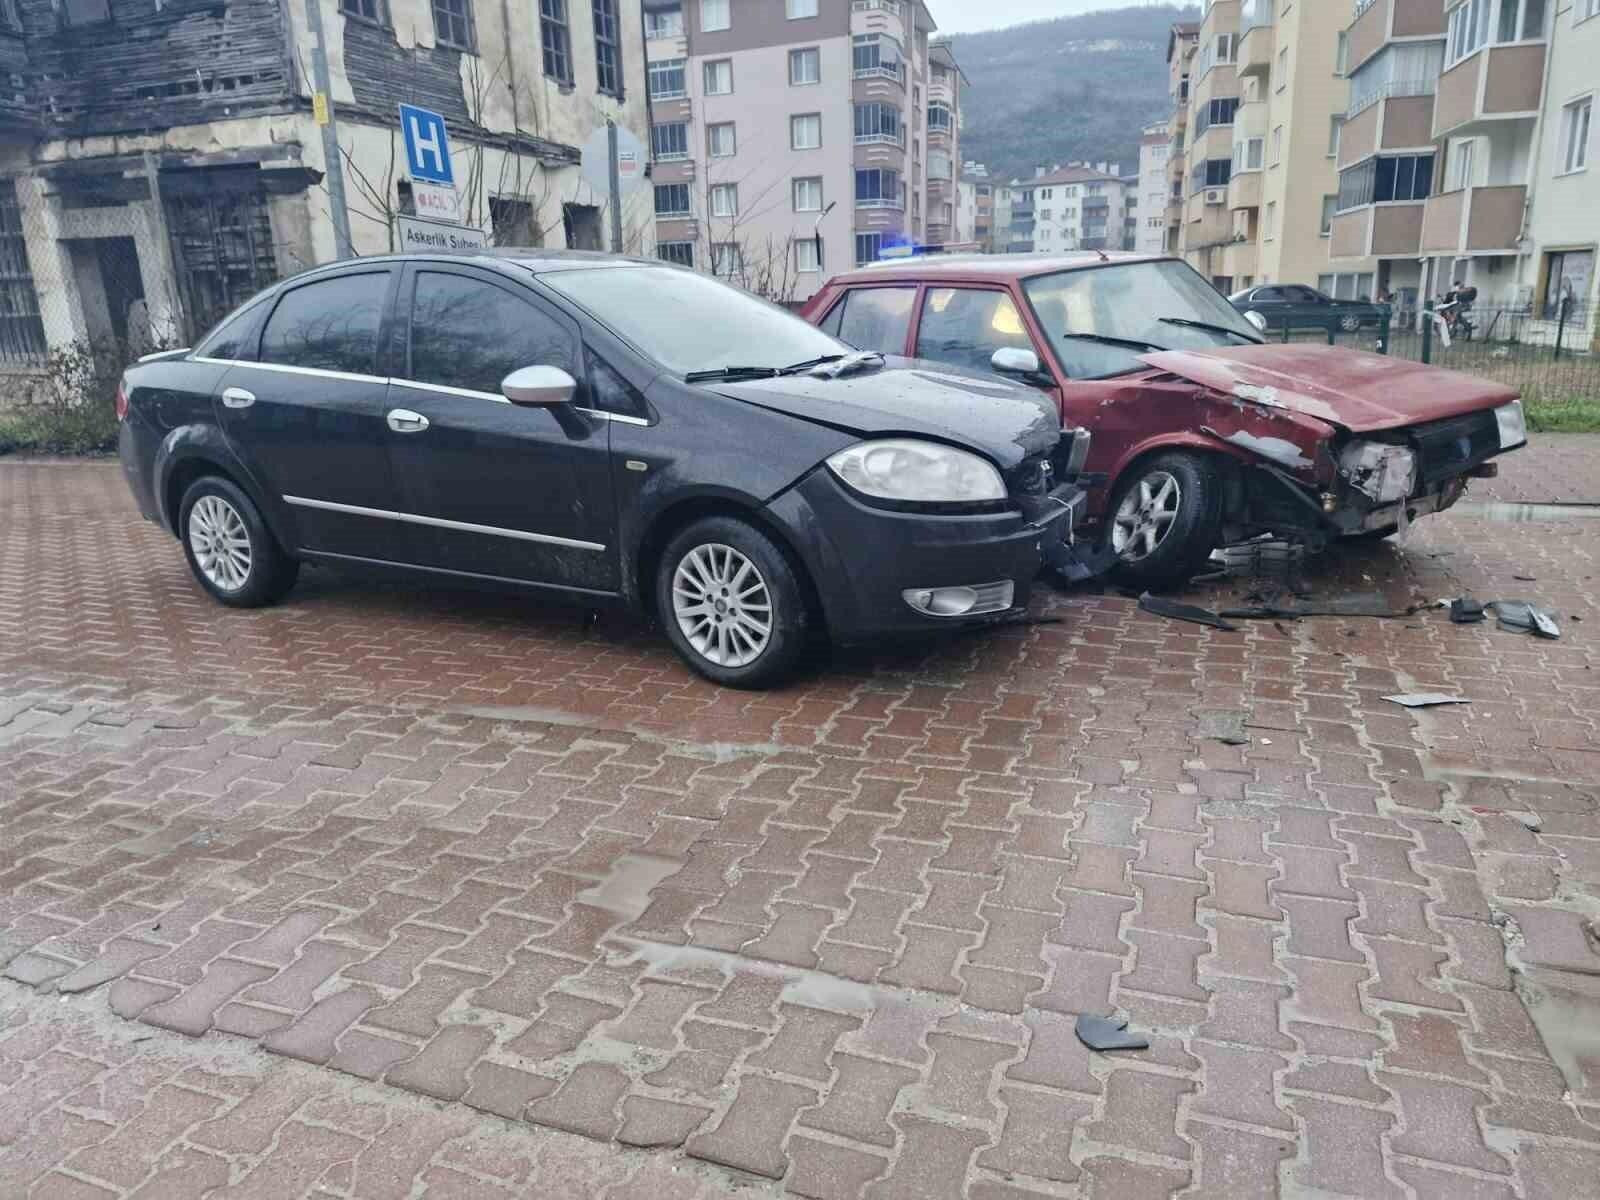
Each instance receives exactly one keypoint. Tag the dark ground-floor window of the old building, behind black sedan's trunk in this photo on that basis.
(222, 249)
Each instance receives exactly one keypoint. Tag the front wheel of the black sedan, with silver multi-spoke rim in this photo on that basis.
(732, 606)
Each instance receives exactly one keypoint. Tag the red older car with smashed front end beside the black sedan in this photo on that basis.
(1204, 434)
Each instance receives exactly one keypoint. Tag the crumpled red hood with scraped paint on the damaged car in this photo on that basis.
(1358, 391)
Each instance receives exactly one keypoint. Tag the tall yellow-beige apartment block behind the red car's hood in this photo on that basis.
(1260, 97)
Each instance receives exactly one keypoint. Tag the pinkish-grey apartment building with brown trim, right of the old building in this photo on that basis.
(798, 138)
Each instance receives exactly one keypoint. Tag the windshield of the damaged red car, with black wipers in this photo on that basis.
(1137, 302)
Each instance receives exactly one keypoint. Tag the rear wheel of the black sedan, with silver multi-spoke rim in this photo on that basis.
(230, 548)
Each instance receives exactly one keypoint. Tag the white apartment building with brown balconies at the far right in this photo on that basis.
(1470, 151)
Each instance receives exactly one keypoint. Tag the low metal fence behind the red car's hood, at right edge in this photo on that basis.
(1553, 359)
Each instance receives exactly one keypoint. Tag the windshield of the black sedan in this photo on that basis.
(690, 322)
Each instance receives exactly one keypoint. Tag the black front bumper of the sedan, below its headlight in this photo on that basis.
(865, 559)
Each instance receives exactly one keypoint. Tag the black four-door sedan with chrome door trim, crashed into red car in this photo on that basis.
(604, 428)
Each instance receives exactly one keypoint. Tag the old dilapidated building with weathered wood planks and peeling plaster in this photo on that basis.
(161, 159)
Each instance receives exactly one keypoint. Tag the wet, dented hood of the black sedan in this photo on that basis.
(1001, 420)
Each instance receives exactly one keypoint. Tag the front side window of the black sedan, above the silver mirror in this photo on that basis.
(470, 334)
